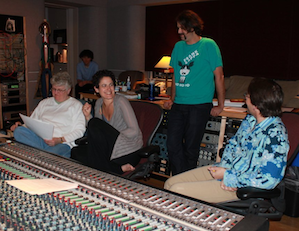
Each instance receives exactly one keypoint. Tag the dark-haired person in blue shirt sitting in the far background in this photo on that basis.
(85, 70)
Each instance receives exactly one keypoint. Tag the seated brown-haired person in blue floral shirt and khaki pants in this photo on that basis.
(255, 156)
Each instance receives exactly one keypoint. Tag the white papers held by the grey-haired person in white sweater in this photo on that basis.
(42, 129)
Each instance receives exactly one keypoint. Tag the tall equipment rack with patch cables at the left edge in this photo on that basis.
(13, 97)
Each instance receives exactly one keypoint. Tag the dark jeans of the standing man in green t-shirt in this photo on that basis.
(185, 130)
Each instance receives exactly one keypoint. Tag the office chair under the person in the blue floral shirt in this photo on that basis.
(263, 202)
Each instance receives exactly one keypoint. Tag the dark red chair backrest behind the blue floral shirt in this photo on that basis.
(291, 121)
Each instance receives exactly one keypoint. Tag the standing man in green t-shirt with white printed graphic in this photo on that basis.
(198, 70)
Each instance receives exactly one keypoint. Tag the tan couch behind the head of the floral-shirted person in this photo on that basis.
(237, 85)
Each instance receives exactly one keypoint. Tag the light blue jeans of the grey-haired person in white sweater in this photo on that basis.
(26, 136)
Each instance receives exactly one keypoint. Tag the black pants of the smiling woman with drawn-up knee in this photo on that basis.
(101, 139)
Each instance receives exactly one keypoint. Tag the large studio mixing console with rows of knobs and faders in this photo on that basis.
(101, 201)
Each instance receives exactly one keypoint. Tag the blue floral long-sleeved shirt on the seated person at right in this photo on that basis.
(257, 154)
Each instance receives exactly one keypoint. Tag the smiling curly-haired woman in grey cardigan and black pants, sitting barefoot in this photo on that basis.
(113, 134)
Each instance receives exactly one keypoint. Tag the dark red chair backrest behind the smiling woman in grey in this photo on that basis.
(149, 117)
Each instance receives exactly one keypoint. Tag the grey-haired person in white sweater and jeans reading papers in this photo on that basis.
(61, 110)
